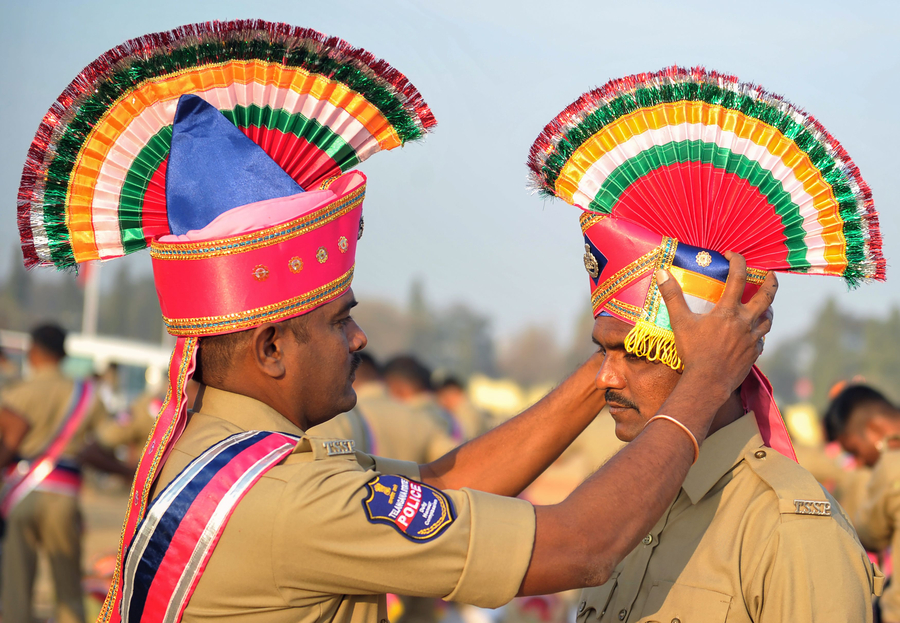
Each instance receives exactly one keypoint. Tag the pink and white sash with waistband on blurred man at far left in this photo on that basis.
(44, 472)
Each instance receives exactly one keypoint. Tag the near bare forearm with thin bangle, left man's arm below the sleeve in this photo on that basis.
(580, 541)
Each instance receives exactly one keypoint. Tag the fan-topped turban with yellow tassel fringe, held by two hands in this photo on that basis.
(674, 168)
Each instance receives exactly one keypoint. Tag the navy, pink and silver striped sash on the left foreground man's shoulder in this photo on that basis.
(183, 524)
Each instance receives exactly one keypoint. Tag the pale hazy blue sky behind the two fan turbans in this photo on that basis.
(454, 210)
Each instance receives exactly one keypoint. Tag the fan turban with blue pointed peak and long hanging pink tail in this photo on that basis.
(227, 148)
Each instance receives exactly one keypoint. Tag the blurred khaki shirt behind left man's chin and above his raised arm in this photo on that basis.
(386, 427)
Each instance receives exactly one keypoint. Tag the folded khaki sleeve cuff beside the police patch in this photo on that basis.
(500, 544)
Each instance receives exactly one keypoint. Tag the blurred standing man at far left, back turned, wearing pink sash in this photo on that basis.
(39, 498)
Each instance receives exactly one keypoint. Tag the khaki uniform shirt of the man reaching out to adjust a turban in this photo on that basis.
(299, 546)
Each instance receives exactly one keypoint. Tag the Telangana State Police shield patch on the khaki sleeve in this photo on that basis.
(417, 511)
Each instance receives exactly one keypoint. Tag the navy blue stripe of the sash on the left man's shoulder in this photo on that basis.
(159, 542)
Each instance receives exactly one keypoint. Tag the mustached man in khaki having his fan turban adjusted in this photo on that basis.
(750, 536)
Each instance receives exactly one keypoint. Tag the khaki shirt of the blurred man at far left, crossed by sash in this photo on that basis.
(43, 400)
